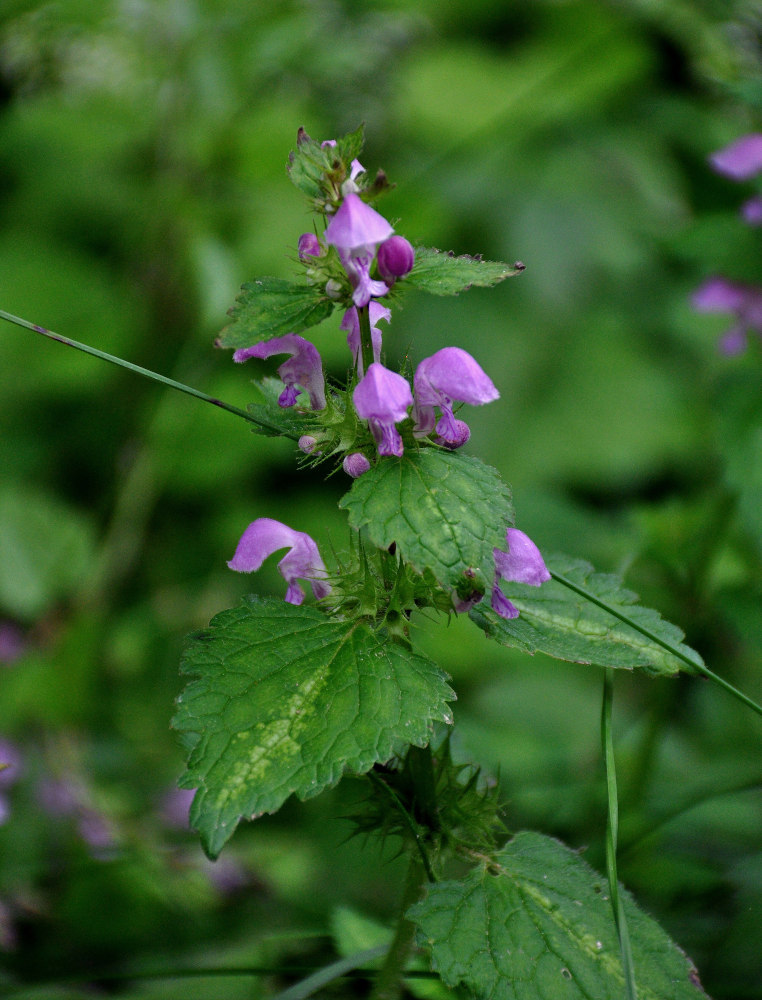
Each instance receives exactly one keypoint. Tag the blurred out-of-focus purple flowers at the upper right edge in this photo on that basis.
(741, 161)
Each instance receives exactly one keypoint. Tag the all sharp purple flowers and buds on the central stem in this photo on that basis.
(383, 398)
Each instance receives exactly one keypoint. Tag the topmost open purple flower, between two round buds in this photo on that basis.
(356, 230)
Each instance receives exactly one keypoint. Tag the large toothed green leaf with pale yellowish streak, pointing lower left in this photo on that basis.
(286, 701)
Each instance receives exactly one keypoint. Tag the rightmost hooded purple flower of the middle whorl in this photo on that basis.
(450, 374)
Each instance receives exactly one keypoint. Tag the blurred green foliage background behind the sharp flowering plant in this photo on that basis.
(142, 180)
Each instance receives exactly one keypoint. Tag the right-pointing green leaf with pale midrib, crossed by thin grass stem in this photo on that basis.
(556, 620)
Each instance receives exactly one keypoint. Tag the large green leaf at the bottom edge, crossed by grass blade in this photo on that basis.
(538, 924)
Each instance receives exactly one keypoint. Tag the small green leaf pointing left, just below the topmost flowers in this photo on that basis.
(273, 307)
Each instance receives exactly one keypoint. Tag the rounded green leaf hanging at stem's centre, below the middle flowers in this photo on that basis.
(446, 512)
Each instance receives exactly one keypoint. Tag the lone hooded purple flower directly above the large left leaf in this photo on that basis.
(302, 562)
